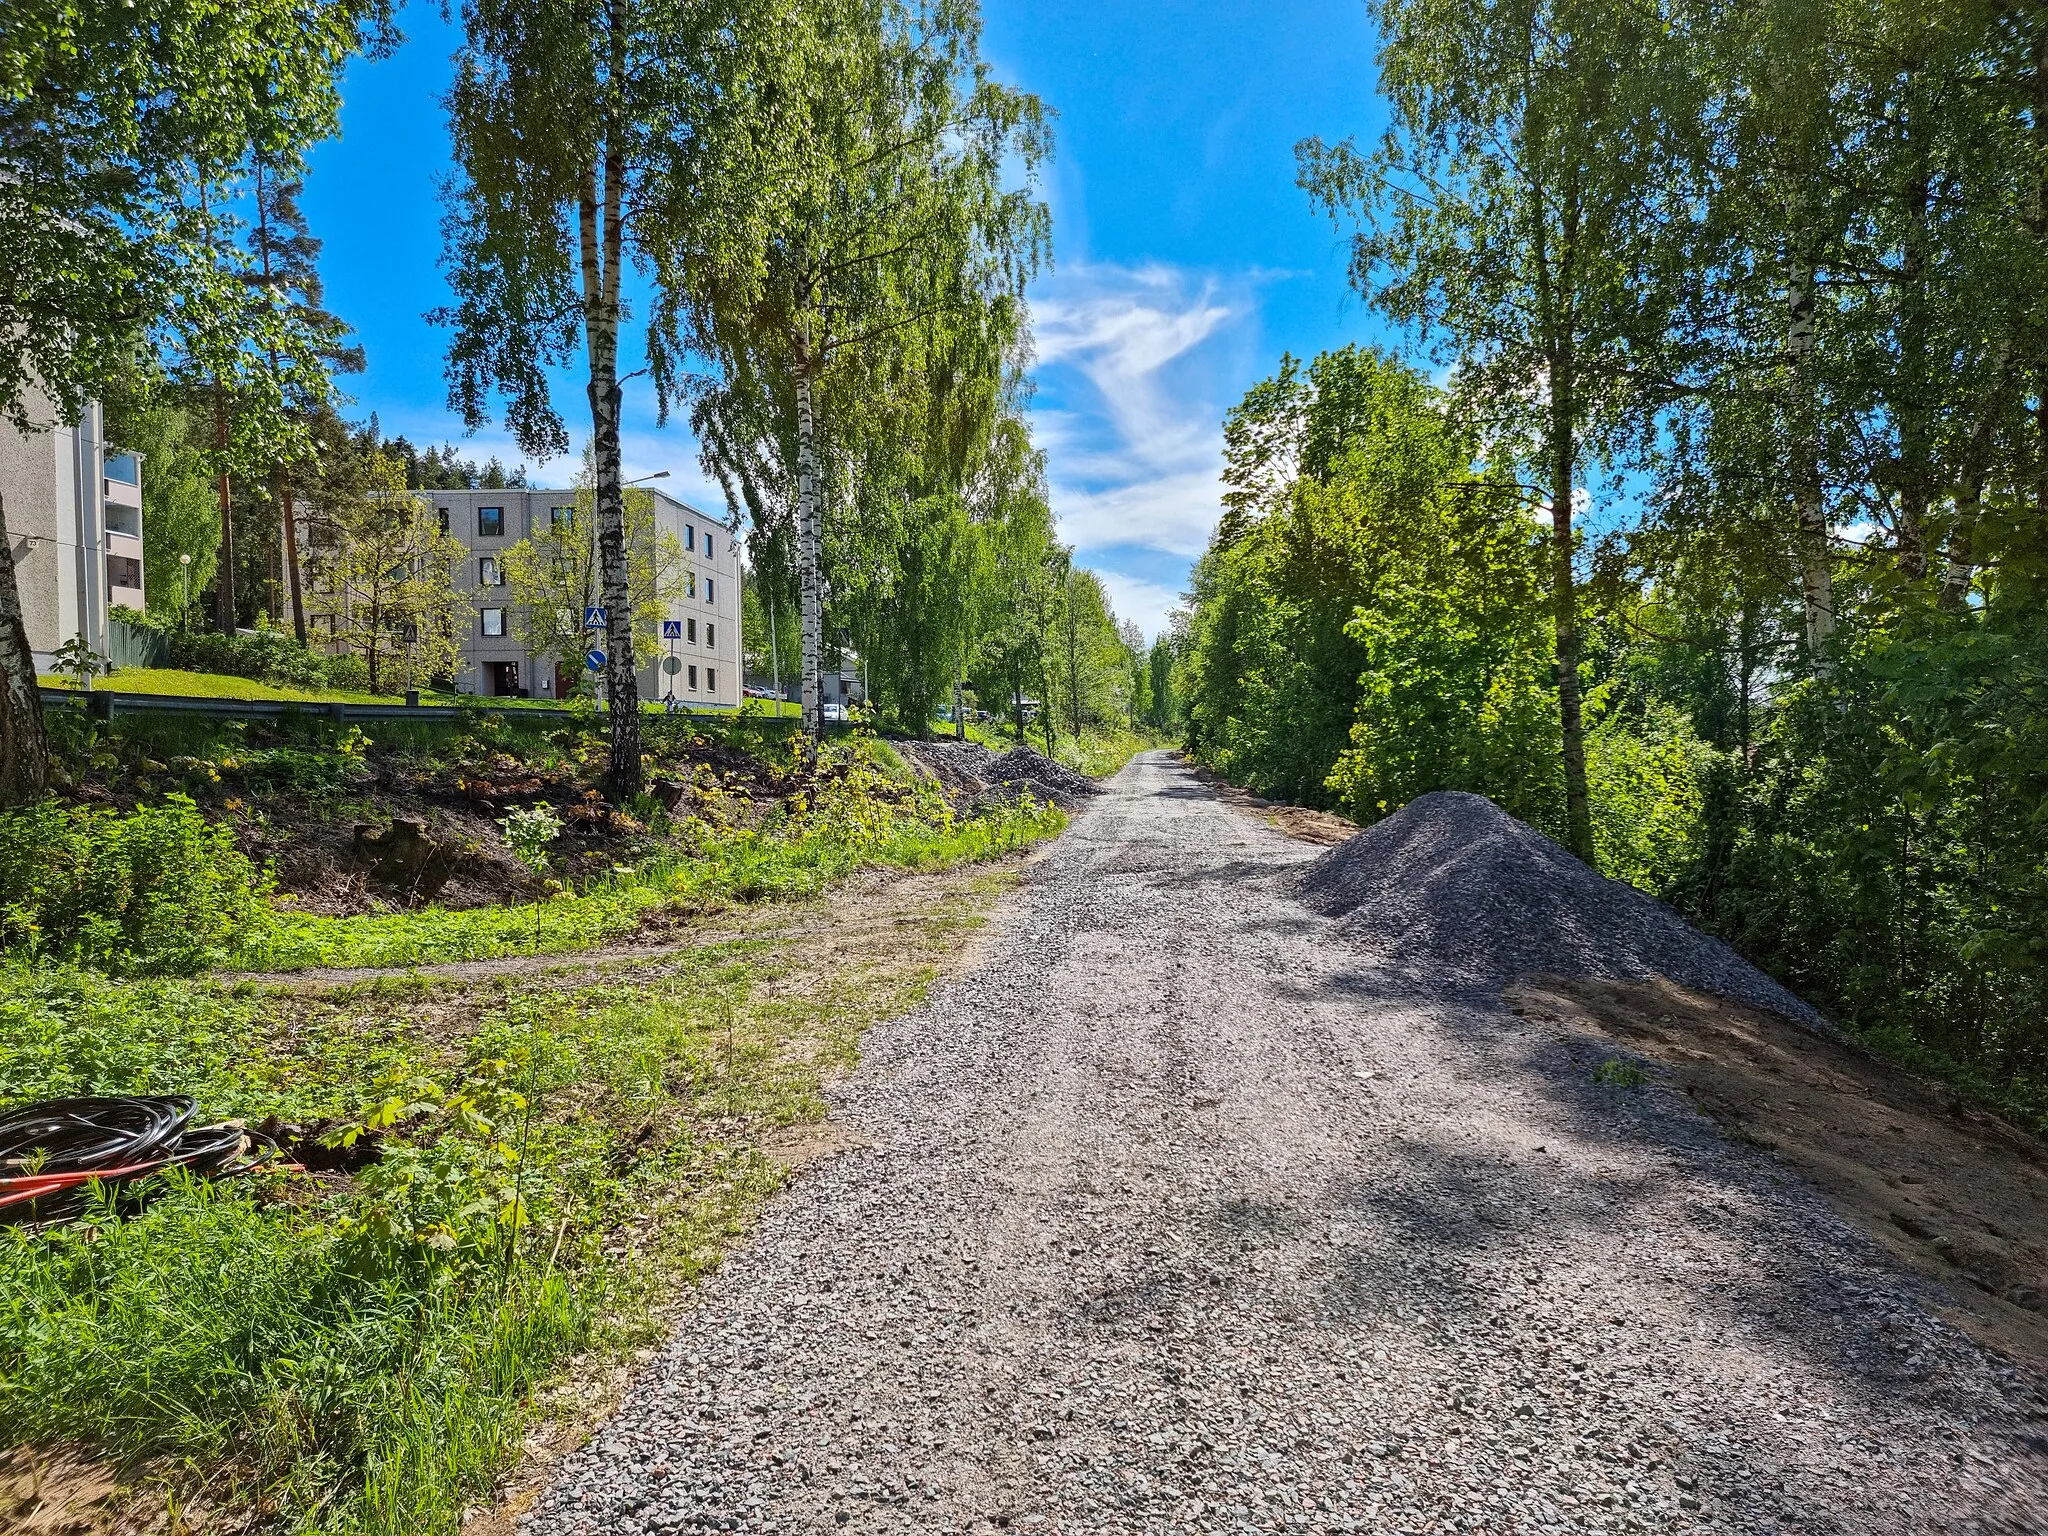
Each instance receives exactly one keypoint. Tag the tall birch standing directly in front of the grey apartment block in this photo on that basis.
(593, 134)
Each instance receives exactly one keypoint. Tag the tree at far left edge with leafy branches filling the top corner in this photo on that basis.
(110, 116)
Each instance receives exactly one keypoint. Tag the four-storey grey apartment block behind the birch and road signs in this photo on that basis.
(699, 626)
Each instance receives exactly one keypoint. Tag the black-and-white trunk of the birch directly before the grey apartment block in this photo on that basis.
(601, 239)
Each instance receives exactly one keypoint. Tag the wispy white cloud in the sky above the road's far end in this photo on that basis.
(1129, 368)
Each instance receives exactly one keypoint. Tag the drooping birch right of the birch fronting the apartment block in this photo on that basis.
(896, 232)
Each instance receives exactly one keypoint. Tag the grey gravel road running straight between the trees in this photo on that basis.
(1179, 1218)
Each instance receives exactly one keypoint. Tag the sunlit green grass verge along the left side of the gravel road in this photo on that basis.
(562, 1152)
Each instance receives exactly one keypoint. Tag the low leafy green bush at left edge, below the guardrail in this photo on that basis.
(159, 890)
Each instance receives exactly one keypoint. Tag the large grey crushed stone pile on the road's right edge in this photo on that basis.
(1457, 892)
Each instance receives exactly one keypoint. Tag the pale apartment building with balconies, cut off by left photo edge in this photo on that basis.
(75, 519)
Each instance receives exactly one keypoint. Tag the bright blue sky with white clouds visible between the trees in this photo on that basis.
(1185, 257)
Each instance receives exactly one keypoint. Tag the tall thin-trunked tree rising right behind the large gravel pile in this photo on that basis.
(1521, 214)
